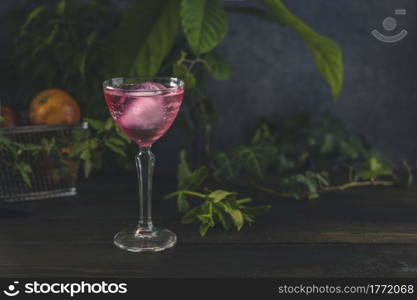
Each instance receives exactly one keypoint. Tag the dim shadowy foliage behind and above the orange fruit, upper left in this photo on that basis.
(61, 44)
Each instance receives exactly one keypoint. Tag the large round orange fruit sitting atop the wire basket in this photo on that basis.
(53, 107)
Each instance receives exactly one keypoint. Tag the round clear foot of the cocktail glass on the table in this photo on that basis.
(145, 240)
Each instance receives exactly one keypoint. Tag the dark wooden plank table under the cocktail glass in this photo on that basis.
(368, 232)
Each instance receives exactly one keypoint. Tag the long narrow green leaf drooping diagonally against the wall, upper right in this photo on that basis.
(327, 55)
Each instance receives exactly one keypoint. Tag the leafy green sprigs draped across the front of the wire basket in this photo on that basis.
(57, 152)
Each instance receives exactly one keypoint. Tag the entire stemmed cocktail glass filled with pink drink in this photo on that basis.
(144, 109)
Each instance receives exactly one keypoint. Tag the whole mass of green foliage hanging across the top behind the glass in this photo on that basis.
(75, 44)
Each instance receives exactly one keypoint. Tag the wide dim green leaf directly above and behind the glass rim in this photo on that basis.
(144, 37)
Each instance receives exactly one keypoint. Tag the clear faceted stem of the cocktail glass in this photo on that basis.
(145, 162)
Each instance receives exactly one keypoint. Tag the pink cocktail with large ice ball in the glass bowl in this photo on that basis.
(145, 111)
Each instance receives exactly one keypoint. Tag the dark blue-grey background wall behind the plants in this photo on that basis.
(273, 74)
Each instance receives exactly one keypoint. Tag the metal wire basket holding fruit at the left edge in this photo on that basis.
(43, 183)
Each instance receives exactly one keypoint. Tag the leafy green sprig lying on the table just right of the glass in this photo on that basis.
(214, 206)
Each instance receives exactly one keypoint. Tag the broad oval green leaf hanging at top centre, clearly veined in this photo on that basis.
(204, 23)
